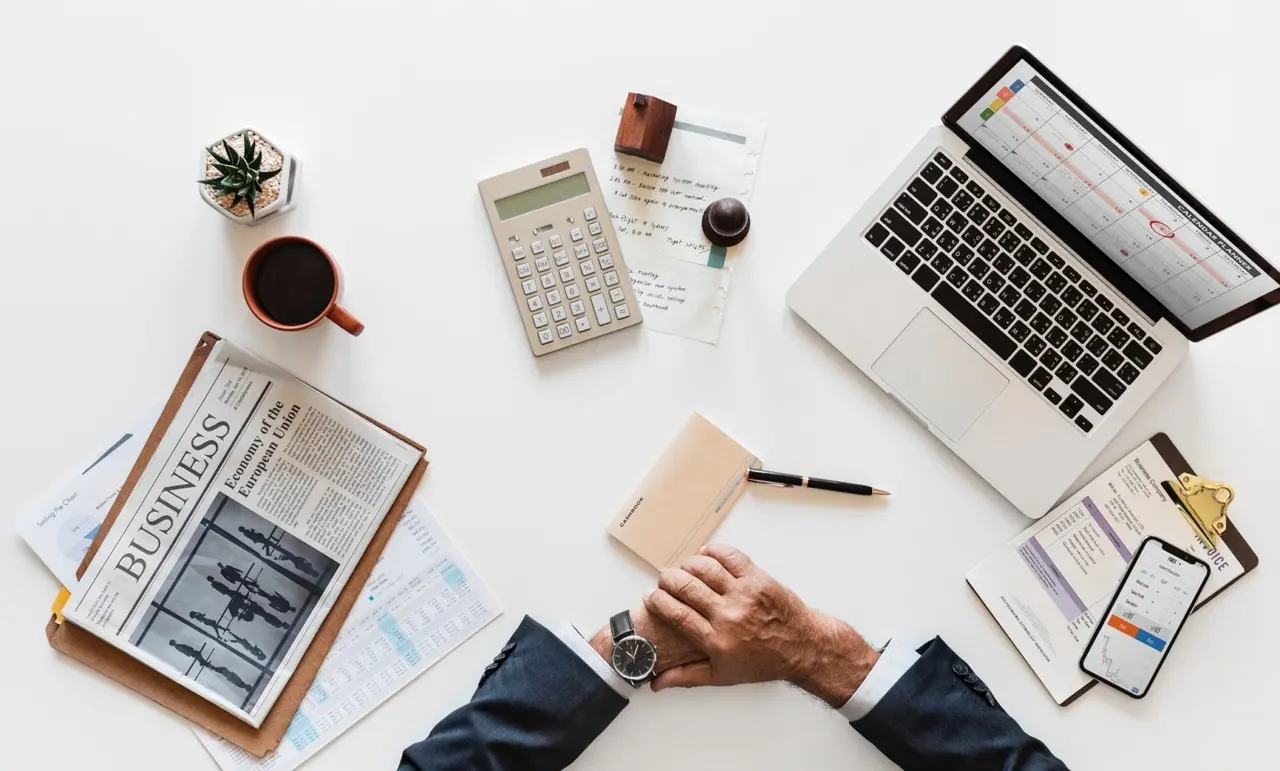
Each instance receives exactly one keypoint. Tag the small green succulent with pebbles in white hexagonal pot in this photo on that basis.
(248, 179)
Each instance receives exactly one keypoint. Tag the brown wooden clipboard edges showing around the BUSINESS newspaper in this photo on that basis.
(131, 673)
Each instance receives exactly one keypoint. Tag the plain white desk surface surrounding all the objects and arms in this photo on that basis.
(113, 268)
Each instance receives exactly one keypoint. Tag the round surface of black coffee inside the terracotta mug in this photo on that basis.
(294, 284)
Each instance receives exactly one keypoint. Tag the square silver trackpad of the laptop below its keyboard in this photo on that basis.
(940, 375)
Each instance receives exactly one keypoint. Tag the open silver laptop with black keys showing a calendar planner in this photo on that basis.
(1027, 279)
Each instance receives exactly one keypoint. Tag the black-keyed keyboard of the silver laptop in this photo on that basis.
(1007, 286)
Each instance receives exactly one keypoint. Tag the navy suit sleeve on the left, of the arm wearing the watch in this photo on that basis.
(536, 711)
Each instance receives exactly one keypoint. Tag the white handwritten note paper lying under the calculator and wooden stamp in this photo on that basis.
(680, 279)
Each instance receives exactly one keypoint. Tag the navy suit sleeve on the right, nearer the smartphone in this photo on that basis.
(941, 717)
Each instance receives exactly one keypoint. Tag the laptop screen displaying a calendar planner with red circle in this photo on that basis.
(1124, 208)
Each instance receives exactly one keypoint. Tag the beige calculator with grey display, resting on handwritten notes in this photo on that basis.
(563, 258)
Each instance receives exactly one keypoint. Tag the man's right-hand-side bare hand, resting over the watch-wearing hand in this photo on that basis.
(753, 629)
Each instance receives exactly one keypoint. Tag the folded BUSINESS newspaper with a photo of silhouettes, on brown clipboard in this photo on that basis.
(241, 533)
